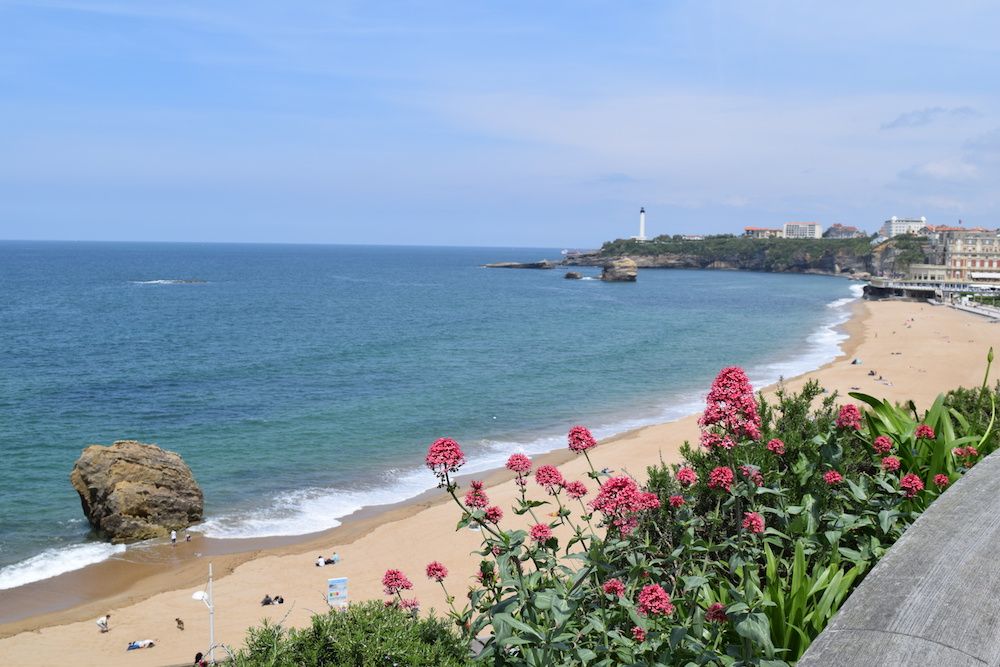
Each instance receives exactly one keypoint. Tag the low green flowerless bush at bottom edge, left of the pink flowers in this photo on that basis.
(363, 634)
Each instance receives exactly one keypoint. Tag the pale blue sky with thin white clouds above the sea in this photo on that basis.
(491, 123)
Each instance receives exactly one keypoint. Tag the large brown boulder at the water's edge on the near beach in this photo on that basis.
(134, 491)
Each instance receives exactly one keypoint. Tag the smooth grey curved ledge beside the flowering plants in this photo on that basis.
(934, 599)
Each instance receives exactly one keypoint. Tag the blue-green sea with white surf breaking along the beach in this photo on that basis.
(301, 383)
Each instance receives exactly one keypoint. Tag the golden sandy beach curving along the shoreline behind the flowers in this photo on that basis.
(919, 350)
